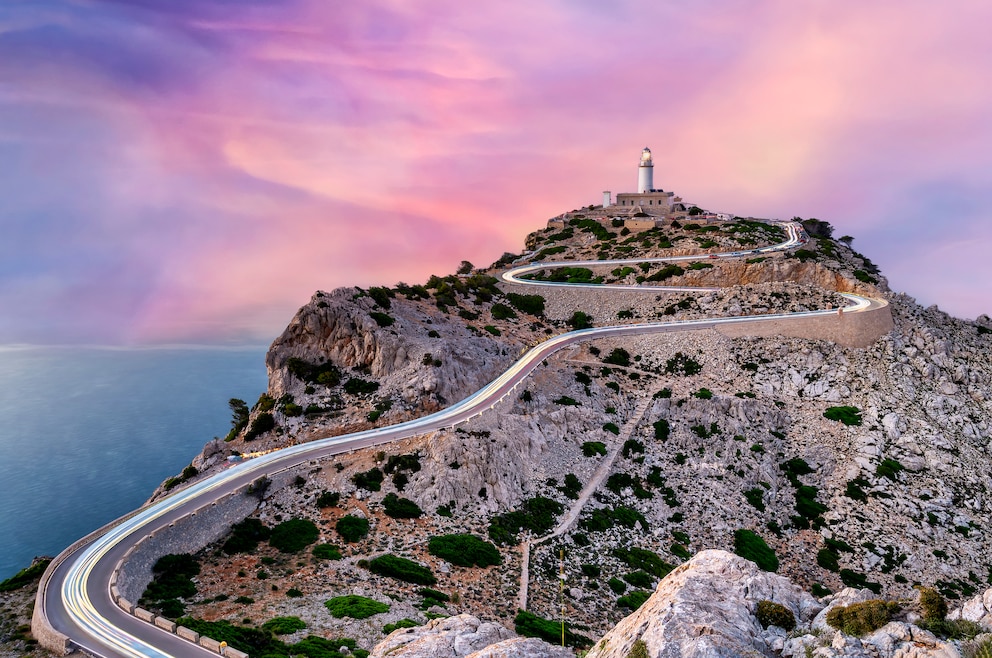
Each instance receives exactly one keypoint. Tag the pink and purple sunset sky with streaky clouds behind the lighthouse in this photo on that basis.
(193, 170)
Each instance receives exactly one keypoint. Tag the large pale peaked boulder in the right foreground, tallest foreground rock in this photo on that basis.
(707, 607)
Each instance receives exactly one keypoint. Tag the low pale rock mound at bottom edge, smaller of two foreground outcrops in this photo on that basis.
(463, 635)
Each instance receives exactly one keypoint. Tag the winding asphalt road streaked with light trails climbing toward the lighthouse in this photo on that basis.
(76, 596)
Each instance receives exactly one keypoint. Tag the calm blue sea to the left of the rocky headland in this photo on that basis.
(87, 433)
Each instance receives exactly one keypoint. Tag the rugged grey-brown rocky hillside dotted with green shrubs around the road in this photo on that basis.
(714, 452)
